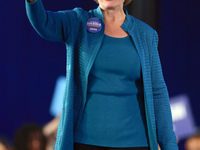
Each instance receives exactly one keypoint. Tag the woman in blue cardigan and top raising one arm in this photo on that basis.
(116, 97)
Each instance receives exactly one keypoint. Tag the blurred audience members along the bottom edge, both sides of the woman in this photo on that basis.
(34, 137)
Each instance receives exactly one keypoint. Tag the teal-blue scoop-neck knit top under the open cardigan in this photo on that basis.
(114, 114)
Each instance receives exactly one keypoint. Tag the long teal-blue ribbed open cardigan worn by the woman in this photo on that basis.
(82, 47)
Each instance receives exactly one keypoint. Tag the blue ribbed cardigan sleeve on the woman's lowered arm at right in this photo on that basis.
(165, 134)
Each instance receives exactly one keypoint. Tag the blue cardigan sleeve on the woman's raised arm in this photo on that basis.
(54, 26)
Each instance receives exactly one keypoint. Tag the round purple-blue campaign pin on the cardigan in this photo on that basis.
(94, 25)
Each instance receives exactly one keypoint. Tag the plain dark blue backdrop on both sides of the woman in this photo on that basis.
(30, 65)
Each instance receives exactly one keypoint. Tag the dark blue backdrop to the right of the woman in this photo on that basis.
(179, 30)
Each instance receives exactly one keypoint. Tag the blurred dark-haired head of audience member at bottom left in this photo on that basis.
(30, 137)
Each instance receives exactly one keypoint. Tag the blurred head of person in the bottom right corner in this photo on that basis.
(193, 143)
